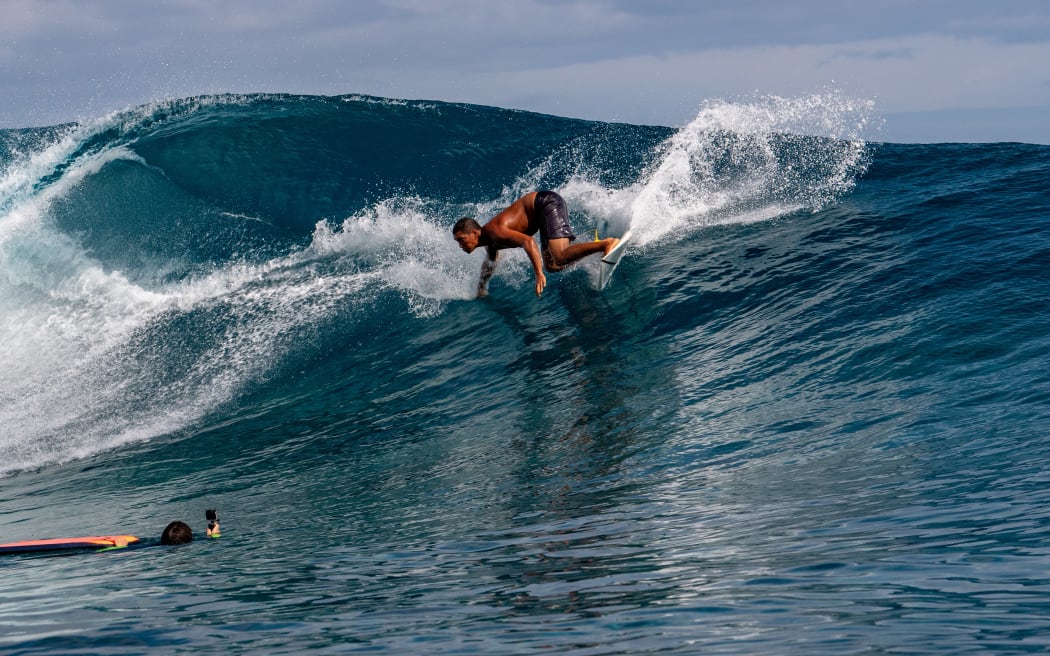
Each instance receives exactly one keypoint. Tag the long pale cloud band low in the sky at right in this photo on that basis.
(916, 74)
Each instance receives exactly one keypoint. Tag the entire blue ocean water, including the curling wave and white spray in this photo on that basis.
(809, 415)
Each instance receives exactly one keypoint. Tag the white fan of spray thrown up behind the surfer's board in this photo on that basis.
(724, 168)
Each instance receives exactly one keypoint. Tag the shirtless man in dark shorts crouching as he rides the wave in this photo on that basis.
(515, 227)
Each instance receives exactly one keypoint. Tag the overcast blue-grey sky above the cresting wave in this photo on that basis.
(937, 71)
